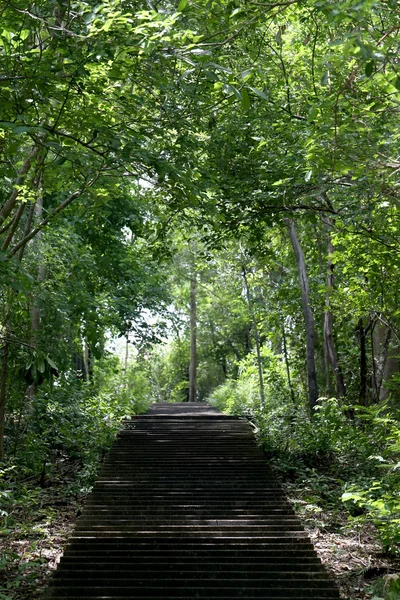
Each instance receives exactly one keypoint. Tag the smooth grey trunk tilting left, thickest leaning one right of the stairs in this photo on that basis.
(308, 316)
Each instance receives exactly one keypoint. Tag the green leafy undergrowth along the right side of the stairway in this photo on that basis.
(341, 468)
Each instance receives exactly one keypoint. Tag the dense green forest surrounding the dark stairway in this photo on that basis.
(216, 185)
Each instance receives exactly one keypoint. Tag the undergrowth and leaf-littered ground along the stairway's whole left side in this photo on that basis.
(54, 453)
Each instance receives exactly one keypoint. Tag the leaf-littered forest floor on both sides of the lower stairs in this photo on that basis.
(32, 541)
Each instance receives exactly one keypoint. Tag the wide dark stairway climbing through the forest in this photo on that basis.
(186, 507)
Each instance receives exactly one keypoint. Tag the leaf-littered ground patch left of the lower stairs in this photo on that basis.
(33, 535)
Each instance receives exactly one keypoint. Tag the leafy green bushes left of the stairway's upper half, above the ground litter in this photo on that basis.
(76, 420)
